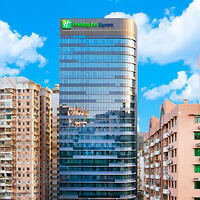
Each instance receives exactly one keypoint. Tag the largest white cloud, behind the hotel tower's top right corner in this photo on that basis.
(169, 39)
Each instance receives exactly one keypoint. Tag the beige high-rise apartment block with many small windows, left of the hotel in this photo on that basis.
(25, 128)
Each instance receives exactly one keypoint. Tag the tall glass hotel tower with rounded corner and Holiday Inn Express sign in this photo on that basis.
(98, 113)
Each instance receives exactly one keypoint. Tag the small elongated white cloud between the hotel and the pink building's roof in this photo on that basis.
(176, 84)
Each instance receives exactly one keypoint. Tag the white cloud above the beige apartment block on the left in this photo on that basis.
(17, 51)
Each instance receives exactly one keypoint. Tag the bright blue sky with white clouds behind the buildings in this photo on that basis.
(168, 44)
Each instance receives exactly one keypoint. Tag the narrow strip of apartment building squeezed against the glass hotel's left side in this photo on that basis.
(54, 166)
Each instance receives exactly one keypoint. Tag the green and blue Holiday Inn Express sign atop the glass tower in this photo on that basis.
(68, 24)
